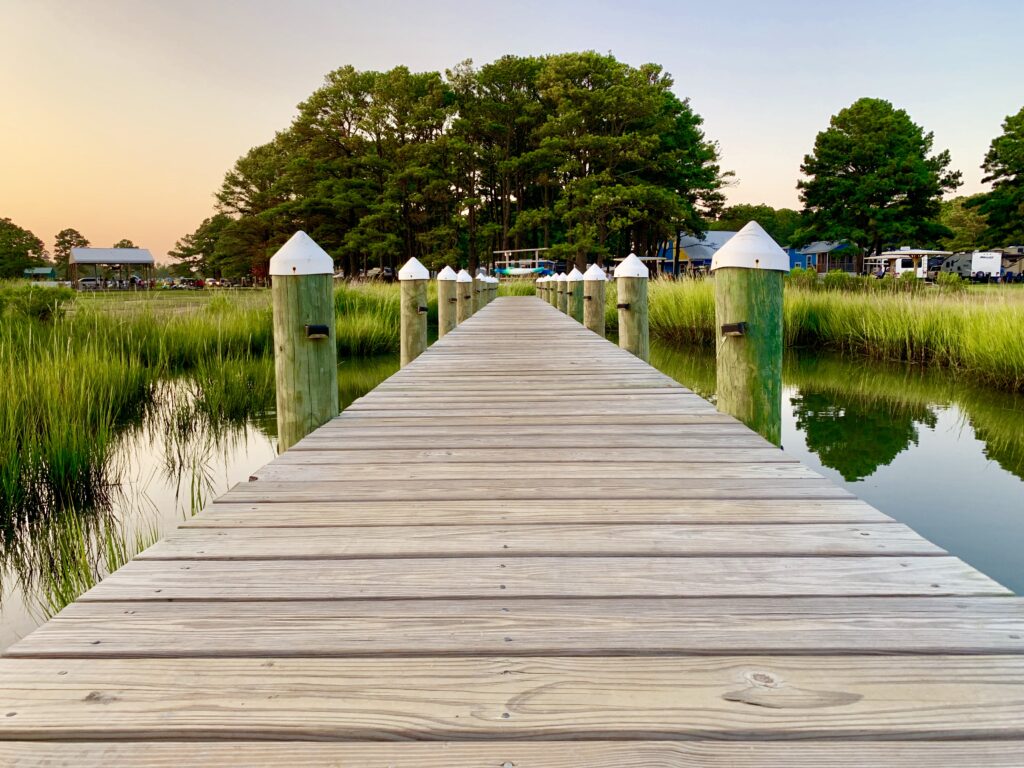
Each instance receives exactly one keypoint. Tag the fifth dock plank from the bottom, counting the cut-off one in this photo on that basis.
(518, 541)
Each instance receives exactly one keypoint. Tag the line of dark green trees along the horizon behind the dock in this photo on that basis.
(578, 153)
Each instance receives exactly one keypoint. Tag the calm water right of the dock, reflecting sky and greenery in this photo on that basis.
(945, 457)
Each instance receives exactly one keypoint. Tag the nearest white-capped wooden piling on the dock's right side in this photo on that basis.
(749, 283)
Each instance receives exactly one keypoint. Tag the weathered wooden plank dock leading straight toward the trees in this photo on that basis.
(526, 549)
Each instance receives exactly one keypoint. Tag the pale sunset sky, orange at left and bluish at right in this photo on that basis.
(119, 118)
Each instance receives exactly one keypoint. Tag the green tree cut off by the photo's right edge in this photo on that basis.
(1004, 166)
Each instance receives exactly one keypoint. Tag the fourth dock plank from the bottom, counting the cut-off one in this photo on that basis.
(542, 577)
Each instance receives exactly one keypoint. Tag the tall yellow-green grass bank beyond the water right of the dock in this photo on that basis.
(974, 333)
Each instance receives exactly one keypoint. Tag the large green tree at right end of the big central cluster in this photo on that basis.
(627, 148)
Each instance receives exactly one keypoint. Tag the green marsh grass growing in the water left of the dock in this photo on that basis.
(77, 383)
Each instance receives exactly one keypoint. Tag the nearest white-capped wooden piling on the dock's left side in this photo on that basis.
(306, 355)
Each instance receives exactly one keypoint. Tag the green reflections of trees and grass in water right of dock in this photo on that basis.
(860, 415)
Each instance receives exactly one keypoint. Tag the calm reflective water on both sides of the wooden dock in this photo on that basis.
(946, 458)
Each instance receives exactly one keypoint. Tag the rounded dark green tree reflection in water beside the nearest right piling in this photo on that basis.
(855, 436)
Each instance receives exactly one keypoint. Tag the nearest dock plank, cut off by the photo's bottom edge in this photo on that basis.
(692, 754)
